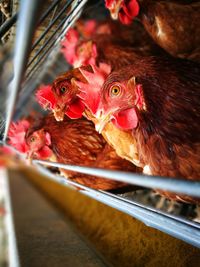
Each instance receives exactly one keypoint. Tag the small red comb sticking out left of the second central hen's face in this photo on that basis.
(45, 97)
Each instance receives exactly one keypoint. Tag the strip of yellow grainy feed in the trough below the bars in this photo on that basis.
(123, 240)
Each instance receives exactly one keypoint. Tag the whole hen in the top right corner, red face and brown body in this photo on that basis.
(174, 25)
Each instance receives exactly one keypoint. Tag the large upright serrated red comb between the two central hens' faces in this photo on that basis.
(90, 92)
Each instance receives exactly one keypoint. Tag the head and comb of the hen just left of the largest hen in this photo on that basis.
(77, 89)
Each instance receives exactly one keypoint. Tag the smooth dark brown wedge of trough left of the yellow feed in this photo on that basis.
(44, 236)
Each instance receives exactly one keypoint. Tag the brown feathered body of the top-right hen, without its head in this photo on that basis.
(174, 26)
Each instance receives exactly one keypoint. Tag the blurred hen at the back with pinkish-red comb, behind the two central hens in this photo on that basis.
(111, 48)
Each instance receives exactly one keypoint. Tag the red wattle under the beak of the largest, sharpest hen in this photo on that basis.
(126, 119)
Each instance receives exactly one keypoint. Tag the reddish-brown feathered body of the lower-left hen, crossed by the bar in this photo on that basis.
(76, 142)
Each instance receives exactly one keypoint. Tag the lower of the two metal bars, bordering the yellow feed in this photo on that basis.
(186, 231)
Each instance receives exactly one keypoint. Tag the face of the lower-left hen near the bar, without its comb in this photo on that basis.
(39, 142)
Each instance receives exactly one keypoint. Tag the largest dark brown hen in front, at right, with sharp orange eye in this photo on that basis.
(158, 99)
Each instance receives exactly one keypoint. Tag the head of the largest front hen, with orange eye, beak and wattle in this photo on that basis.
(121, 100)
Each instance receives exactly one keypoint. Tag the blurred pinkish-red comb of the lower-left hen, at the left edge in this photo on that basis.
(17, 134)
